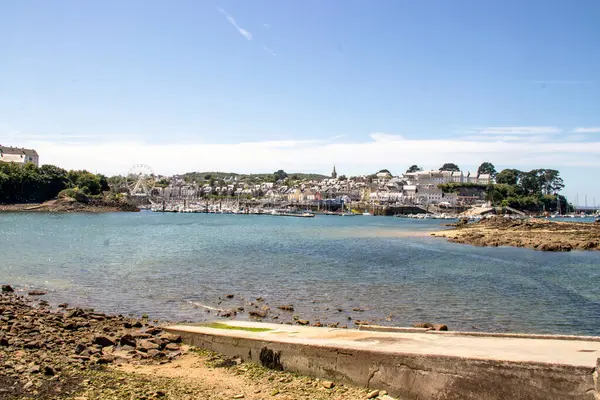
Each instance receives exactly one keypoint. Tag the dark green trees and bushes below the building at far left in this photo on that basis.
(31, 184)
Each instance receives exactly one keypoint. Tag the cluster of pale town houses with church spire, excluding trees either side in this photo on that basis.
(410, 188)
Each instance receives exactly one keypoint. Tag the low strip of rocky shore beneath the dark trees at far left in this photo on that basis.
(68, 205)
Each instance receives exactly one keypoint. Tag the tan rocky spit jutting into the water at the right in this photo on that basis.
(536, 234)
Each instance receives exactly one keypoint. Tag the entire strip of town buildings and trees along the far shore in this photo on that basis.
(414, 190)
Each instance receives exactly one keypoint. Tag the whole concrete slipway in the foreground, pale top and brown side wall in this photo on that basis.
(411, 365)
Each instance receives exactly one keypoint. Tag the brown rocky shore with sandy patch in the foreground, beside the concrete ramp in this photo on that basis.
(75, 353)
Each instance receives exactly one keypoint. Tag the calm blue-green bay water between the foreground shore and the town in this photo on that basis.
(166, 264)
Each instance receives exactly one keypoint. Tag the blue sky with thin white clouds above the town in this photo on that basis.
(257, 86)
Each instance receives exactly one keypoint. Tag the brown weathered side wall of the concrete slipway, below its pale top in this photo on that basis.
(413, 376)
